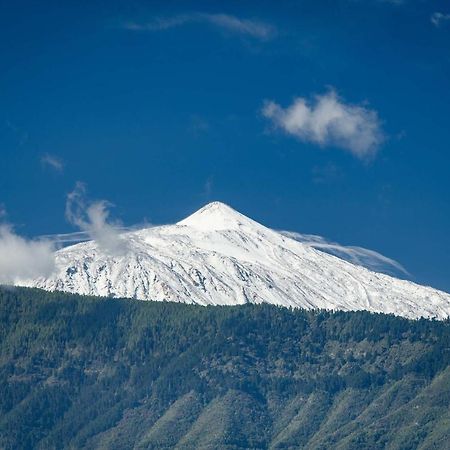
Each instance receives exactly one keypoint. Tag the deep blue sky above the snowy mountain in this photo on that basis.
(161, 107)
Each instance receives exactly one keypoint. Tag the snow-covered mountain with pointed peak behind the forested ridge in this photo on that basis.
(218, 256)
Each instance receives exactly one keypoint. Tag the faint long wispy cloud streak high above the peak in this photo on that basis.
(244, 27)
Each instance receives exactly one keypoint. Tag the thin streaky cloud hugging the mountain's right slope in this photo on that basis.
(356, 255)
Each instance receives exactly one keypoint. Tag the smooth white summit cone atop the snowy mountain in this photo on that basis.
(216, 216)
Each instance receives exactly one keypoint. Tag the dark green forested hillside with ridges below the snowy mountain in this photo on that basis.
(80, 372)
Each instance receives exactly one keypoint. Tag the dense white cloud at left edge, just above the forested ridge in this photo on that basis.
(22, 259)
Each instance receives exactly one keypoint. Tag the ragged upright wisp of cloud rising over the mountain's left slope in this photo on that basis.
(92, 218)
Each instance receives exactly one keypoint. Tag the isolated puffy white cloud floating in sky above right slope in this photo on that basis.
(328, 121)
